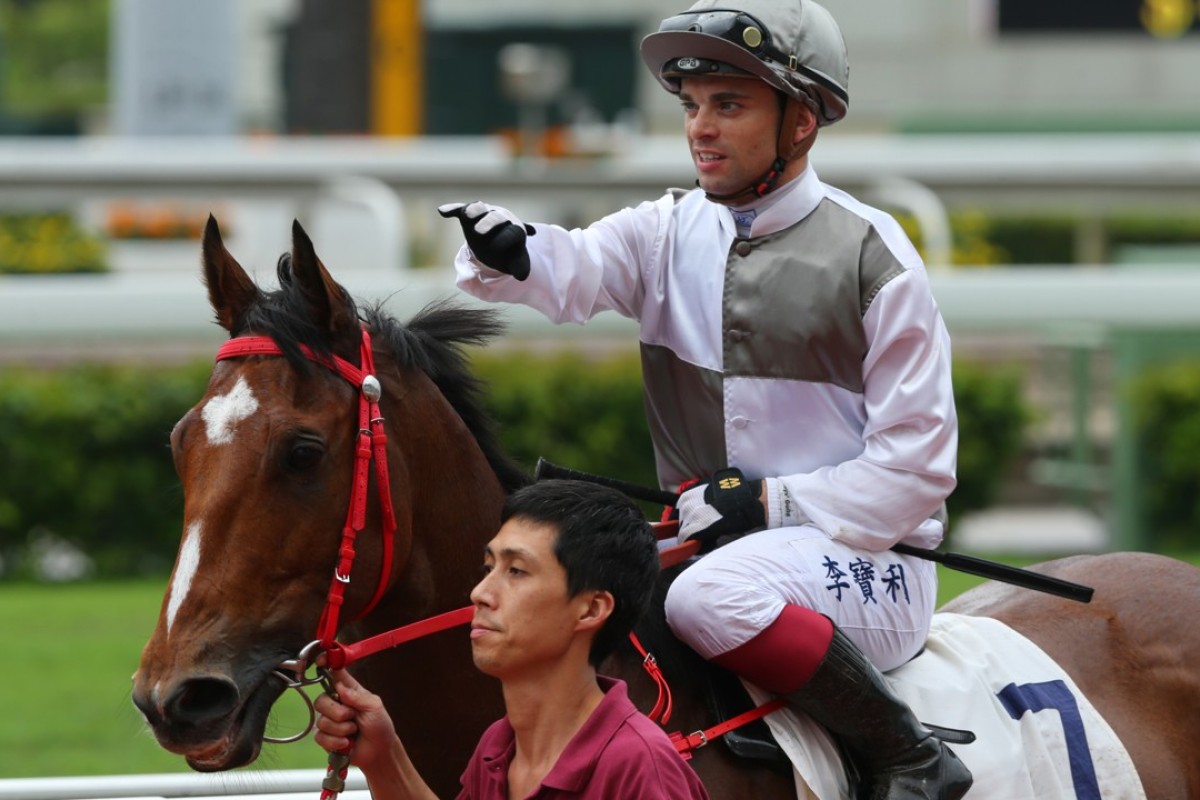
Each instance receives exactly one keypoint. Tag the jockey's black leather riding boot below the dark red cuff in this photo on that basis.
(897, 756)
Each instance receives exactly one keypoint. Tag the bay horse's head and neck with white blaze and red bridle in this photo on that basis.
(285, 527)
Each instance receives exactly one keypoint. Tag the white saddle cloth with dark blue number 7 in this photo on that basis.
(1039, 738)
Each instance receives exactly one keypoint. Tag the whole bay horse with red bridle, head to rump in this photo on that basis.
(267, 462)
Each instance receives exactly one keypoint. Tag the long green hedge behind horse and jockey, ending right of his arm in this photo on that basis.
(86, 449)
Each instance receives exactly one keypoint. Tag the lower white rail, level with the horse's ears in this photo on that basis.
(56, 311)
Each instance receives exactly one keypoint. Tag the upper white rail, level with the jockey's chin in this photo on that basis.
(988, 171)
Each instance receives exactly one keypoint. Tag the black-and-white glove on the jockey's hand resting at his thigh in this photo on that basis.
(728, 506)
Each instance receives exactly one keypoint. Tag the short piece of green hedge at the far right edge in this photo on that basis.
(1167, 412)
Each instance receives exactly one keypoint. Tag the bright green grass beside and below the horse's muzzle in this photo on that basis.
(70, 653)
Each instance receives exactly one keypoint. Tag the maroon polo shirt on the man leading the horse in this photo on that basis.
(617, 755)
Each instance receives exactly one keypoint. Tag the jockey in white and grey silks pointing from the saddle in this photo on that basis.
(794, 360)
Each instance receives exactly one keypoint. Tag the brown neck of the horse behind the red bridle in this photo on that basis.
(447, 500)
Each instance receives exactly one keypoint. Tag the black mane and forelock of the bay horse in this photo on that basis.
(433, 342)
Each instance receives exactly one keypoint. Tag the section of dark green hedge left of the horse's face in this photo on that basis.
(87, 459)
